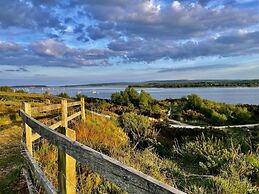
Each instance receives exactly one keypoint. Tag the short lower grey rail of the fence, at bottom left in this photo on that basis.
(37, 172)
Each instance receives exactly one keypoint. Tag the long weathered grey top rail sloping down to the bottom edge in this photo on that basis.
(126, 177)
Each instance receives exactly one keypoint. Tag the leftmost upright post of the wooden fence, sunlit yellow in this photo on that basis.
(28, 131)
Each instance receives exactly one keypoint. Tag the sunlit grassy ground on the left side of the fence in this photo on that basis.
(11, 129)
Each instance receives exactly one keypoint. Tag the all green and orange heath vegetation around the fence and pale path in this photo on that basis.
(195, 161)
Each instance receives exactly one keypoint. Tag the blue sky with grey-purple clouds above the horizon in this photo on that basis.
(56, 42)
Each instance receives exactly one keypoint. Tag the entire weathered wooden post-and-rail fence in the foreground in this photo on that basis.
(70, 151)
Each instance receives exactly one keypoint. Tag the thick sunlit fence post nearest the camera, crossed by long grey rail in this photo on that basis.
(66, 164)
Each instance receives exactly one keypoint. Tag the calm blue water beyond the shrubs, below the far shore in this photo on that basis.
(227, 95)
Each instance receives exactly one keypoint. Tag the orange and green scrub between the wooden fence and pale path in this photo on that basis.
(194, 163)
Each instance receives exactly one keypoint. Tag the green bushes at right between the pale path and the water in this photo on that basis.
(193, 108)
